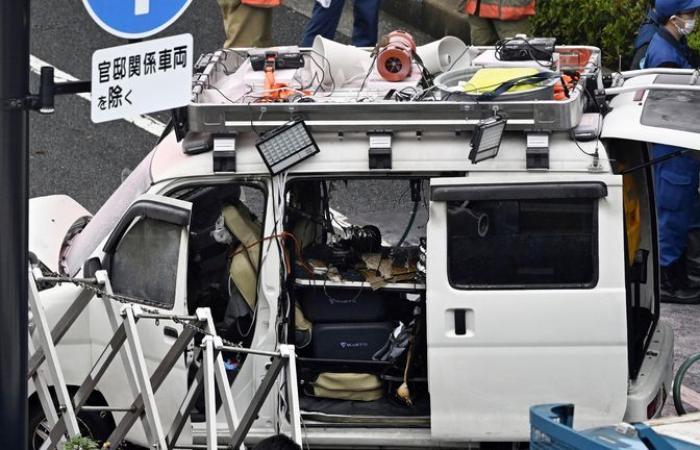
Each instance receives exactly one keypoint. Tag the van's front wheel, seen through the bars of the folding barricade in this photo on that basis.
(91, 424)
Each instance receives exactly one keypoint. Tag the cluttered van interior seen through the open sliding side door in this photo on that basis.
(358, 295)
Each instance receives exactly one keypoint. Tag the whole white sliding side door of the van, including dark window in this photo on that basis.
(525, 302)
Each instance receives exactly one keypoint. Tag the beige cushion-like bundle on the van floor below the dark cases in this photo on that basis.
(362, 387)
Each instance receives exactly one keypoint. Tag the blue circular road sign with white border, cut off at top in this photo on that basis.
(135, 19)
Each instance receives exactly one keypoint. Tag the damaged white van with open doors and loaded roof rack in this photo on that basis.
(517, 284)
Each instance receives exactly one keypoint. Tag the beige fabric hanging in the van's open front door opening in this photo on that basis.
(244, 264)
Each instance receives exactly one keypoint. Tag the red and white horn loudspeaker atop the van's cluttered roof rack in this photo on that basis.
(395, 57)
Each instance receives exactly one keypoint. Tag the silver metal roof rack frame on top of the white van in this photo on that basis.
(389, 115)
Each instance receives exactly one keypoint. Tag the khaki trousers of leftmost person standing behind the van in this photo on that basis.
(246, 26)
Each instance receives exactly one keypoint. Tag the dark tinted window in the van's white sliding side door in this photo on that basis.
(511, 244)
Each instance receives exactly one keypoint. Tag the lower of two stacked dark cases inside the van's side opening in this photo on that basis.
(346, 341)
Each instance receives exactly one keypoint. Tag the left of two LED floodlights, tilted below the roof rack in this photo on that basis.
(286, 146)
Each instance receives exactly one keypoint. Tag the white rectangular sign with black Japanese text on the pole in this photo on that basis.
(135, 79)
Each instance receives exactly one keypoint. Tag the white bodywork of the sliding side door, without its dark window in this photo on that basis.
(527, 347)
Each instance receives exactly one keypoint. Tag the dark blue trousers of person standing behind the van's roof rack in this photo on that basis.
(324, 22)
